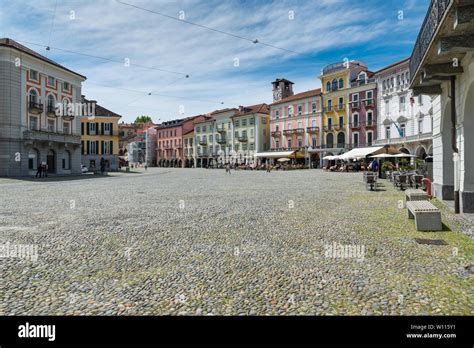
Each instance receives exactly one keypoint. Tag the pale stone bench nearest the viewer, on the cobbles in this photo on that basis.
(427, 216)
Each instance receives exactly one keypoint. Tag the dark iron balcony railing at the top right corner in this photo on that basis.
(429, 27)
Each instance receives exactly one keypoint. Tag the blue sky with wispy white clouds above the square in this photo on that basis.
(320, 31)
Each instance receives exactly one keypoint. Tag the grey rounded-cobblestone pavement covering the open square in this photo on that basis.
(195, 241)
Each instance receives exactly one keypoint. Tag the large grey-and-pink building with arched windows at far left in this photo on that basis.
(31, 132)
